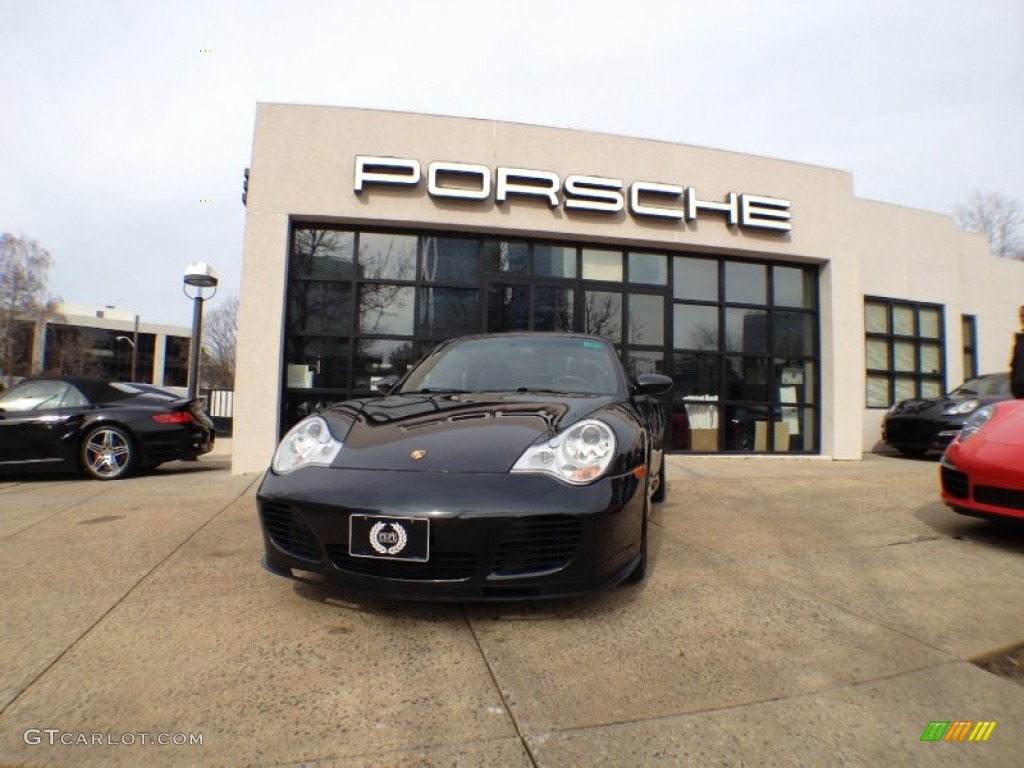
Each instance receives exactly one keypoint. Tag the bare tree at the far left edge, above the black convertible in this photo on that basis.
(25, 301)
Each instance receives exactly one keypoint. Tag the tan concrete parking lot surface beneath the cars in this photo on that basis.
(796, 613)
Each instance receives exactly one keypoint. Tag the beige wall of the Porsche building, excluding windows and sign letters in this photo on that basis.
(303, 168)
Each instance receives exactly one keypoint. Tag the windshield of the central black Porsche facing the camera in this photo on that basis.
(519, 364)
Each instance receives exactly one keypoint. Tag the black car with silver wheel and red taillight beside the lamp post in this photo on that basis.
(107, 430)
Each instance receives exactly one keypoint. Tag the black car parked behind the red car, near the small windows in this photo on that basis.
(917, 426)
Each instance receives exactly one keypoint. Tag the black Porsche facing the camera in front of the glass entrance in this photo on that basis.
(507, 466)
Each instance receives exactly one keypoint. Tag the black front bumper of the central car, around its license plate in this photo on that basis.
(493, 537)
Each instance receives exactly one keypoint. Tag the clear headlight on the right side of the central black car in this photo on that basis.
(578, 455)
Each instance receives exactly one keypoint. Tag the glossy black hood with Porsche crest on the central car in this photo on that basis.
(473, 433)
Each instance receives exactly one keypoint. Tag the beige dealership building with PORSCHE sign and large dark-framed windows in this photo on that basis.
(790, 313)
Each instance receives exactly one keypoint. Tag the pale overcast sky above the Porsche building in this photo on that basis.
(117, 122)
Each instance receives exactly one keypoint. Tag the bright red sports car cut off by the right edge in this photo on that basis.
(984, 468)
